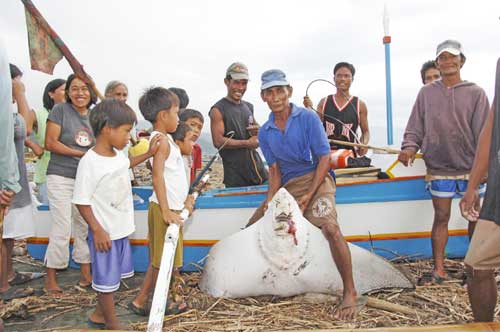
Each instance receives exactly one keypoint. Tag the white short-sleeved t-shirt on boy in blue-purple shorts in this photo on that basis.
(104, 184)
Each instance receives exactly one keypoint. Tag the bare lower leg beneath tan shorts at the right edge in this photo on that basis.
(482, 289)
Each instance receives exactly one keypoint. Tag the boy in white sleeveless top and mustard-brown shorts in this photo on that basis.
(170, 187)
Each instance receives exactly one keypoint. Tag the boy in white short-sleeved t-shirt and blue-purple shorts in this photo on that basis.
(103, 196)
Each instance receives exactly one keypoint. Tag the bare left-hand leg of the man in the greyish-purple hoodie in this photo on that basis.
(439, 236)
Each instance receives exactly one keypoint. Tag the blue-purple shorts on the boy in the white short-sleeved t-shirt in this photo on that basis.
(108, 268)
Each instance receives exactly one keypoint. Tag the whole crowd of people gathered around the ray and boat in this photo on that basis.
(83, 171)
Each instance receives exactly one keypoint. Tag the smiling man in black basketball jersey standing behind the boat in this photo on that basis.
(342, 115)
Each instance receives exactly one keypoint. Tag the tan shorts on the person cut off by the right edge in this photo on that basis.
(484, 251)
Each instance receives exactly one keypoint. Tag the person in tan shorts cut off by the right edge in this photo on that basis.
(483, 256)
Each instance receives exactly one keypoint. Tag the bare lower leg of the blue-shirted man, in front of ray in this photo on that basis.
(342, 258)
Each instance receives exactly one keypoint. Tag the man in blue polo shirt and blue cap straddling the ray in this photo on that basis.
(298, 154)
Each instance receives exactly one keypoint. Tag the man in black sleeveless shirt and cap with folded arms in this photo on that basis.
(242, 164)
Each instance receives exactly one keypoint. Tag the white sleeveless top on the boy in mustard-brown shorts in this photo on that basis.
(174, 174)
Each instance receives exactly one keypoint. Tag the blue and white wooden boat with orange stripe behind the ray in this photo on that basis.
(393, 217)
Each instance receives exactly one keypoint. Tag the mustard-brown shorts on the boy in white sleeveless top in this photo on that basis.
(156, 234)
